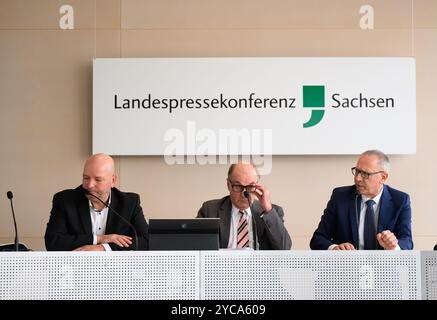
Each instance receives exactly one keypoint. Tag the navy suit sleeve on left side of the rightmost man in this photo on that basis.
(322, 237)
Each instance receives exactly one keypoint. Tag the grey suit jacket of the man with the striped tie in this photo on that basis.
(271, 232)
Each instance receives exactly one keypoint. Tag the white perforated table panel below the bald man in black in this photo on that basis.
(99, 275)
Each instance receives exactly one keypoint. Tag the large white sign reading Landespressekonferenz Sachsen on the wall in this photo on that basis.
(220, 106)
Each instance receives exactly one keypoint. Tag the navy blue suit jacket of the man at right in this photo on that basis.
(339, 221)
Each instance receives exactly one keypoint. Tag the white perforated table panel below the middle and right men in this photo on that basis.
(310, 275)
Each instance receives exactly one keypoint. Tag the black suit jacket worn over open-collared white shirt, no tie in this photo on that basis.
(70, 226)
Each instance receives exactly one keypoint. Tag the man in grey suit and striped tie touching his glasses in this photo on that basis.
(247, 217)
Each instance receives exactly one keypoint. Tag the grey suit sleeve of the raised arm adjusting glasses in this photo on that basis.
(275, 229)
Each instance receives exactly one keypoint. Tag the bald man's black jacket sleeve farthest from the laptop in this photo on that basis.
(58, 236)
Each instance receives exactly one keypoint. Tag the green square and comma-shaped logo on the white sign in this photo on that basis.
(314, 97)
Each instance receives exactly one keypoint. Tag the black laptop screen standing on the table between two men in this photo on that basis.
(184, 234)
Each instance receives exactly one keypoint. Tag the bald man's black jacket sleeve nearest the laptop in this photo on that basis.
(136, 217)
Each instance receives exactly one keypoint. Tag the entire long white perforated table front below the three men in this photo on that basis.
(228, 274)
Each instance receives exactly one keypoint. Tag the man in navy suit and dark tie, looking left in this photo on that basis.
(369, 215)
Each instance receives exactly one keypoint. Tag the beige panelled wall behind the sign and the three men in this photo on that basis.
(46, 98)
